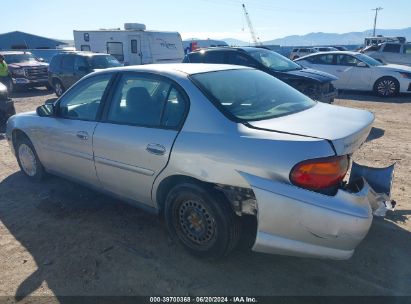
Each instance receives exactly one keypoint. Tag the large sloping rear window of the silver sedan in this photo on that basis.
(249, 95)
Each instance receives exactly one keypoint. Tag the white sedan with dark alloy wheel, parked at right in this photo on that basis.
(356, 71)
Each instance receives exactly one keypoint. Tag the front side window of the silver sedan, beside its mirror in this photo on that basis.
(83, 100)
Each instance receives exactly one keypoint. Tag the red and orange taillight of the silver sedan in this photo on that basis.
(320, 173)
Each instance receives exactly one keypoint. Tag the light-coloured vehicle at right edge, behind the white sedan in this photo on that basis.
(395, 53)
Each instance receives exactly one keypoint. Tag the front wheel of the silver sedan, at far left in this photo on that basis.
(38, 172)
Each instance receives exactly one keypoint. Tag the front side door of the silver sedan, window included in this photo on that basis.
(68, 145)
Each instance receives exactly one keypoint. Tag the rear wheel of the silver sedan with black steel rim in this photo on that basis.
(201, 220)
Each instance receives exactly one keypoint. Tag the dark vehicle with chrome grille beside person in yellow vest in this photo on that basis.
(26, 70)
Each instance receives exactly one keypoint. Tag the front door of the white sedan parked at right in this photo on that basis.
(354, 75)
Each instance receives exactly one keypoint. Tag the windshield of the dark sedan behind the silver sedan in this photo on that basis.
(274, 61)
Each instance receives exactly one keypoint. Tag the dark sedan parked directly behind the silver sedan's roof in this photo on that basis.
(315, 84)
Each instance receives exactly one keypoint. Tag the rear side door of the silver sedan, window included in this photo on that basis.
(133, 142)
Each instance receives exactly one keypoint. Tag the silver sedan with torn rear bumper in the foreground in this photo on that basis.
(205, 145)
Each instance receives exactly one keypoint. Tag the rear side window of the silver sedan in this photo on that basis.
(146, 101)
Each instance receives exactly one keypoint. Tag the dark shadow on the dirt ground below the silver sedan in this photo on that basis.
(84, 243)
